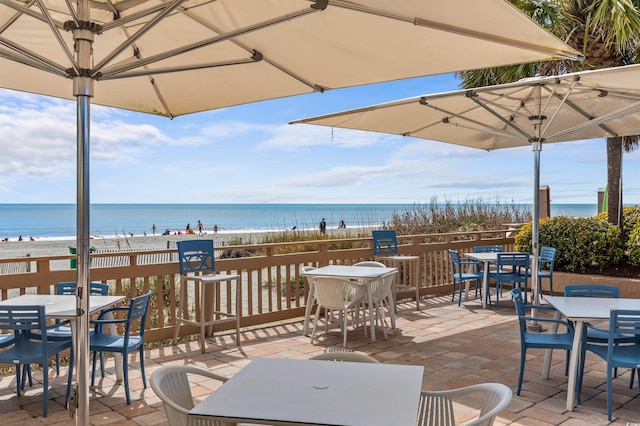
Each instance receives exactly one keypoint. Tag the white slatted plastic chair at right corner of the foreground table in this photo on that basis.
(437, 407)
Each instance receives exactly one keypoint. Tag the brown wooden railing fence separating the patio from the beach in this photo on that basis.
(272, 288)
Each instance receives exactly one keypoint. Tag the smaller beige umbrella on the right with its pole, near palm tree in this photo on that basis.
(531, 112)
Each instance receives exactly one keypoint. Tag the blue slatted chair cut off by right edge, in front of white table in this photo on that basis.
(622, 323)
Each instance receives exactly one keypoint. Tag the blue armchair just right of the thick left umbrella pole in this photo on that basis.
(103, 341)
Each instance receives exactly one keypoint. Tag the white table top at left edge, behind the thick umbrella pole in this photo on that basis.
(61, 306)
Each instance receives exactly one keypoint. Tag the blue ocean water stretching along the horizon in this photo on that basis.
(58, 221)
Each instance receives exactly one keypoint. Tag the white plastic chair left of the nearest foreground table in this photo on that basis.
(171, 384)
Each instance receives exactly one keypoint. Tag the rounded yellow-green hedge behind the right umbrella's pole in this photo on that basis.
(583, 244)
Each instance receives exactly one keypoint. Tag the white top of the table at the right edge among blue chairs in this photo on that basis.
(576, 308)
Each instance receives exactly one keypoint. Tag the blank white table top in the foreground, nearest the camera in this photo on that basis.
(294, 391)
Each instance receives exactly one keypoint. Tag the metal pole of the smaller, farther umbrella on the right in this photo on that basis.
(535, 230)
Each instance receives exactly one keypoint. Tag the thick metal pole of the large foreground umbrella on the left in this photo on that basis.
(83, 91)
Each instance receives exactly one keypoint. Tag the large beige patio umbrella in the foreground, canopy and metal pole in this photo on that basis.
(175, 57)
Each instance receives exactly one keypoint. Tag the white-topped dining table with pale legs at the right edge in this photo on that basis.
(581, 310)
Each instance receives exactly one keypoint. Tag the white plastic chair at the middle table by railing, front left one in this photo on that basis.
(336, 294)
